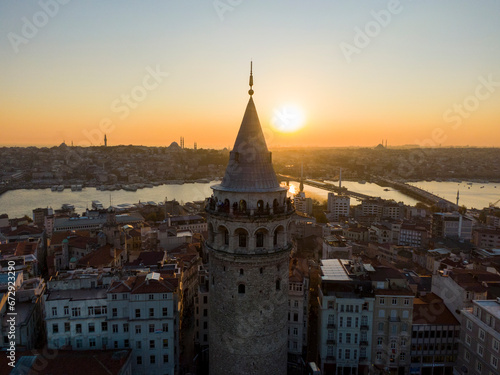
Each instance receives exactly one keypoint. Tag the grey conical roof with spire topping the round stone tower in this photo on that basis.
(250, 167)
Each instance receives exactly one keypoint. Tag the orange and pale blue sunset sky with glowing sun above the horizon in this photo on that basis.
(331, 74)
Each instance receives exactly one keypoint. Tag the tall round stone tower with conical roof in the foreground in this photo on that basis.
(249, 248)
